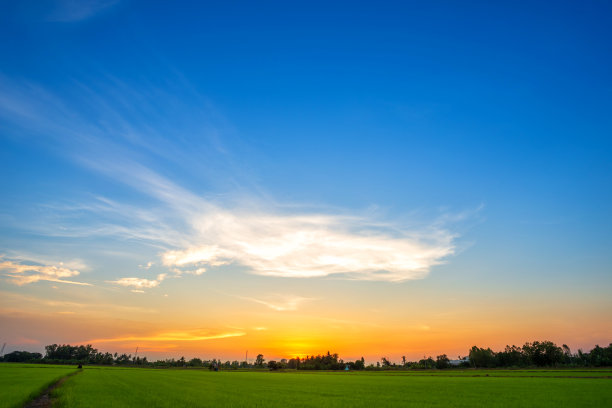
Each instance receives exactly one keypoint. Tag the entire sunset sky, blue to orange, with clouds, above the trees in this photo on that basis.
(377, 179)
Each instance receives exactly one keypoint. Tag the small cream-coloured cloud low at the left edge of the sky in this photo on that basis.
(22, 274)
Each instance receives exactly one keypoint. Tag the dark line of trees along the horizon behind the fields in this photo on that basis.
(537, 353)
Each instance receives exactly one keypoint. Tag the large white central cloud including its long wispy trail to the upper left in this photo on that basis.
(195, 233)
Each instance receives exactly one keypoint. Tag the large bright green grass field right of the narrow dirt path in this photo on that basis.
(128, 387)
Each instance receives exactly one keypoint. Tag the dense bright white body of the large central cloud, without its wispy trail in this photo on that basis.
(312, 245)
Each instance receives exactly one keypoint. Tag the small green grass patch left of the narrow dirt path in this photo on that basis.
(20, 383)
